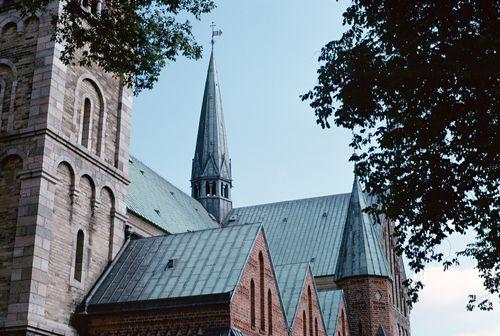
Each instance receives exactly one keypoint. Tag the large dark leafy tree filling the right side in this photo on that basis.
(418, 84)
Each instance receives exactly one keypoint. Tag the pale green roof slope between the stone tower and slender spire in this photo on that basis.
(158, 201)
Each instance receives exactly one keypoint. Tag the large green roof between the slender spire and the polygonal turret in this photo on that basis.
(305, 230)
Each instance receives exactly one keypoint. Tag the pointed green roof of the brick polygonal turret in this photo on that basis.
(361, 252)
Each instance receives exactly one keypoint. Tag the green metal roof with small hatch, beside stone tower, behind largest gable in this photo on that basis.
(205, 263)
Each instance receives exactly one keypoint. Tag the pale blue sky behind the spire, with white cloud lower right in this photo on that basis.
(266, 58)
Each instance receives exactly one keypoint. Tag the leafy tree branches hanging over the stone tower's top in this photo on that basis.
(133, 39)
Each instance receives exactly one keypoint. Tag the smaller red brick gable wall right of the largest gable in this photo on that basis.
(313, 315)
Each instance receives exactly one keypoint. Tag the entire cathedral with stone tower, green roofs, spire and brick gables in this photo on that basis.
(95, 242)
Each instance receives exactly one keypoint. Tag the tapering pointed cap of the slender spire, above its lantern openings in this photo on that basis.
(211, 156)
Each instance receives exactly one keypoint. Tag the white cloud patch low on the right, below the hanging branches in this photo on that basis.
(441, 308)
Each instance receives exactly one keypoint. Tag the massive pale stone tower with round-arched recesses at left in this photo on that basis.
(64, 147)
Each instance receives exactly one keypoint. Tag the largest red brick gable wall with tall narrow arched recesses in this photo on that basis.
(240, 304)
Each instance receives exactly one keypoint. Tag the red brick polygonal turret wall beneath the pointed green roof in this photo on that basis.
(368, 305)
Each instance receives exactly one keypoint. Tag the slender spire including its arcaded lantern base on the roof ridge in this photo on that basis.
(211, 180)
